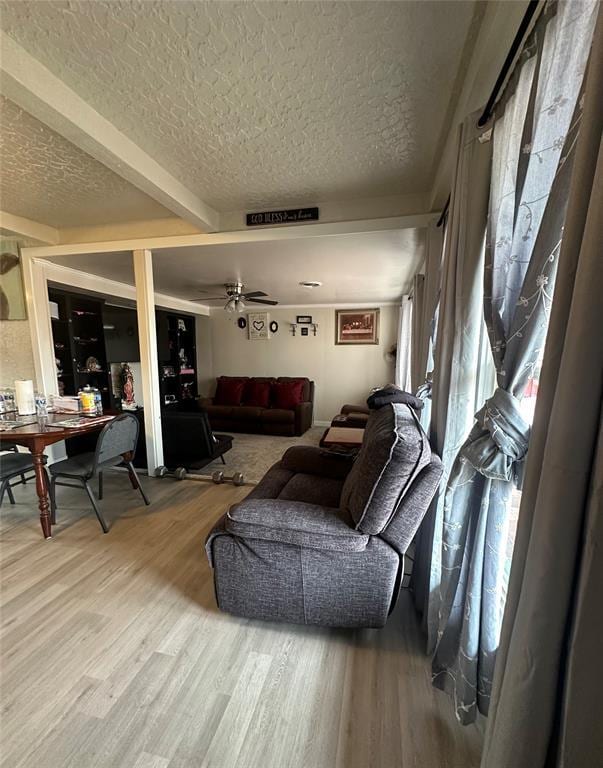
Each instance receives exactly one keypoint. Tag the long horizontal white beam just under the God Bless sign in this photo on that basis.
(251, 235)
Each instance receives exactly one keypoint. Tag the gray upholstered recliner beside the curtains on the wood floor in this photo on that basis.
(321, 539)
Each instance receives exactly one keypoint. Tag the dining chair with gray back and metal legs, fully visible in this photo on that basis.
(116, 444)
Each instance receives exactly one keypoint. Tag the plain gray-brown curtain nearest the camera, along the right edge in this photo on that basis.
(546, 697)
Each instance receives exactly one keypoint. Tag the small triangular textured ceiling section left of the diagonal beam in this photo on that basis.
(46, 178)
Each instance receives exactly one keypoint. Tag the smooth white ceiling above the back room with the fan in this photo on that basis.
(369, 267)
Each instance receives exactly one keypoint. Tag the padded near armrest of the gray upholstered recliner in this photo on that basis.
(294, 522)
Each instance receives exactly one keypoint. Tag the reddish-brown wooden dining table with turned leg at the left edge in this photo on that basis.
(36, 437)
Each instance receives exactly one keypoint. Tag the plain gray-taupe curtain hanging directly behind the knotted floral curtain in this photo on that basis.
(456, 308)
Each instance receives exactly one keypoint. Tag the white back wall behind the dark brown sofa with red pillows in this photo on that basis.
(342, 374)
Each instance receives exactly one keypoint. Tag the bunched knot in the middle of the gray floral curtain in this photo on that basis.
(498, 443)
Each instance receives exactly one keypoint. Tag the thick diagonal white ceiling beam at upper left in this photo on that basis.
(34, 88)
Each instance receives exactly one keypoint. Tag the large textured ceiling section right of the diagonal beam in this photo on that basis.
(259, 104)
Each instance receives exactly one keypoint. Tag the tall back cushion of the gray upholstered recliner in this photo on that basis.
(394, 450)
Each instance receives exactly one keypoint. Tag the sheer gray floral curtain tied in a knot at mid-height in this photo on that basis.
(534, 136)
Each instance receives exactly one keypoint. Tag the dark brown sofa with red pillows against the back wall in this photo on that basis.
(268, 419)
